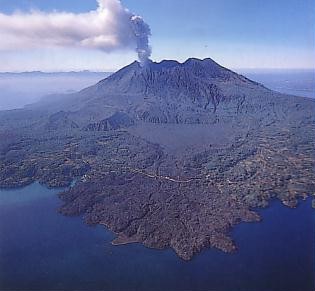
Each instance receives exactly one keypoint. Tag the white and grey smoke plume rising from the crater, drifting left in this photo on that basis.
(111, 27)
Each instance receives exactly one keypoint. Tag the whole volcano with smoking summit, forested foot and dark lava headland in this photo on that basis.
(170, 155)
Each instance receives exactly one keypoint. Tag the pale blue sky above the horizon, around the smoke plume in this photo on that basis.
(235, 33)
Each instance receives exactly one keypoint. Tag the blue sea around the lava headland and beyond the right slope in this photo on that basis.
(41, 249)
